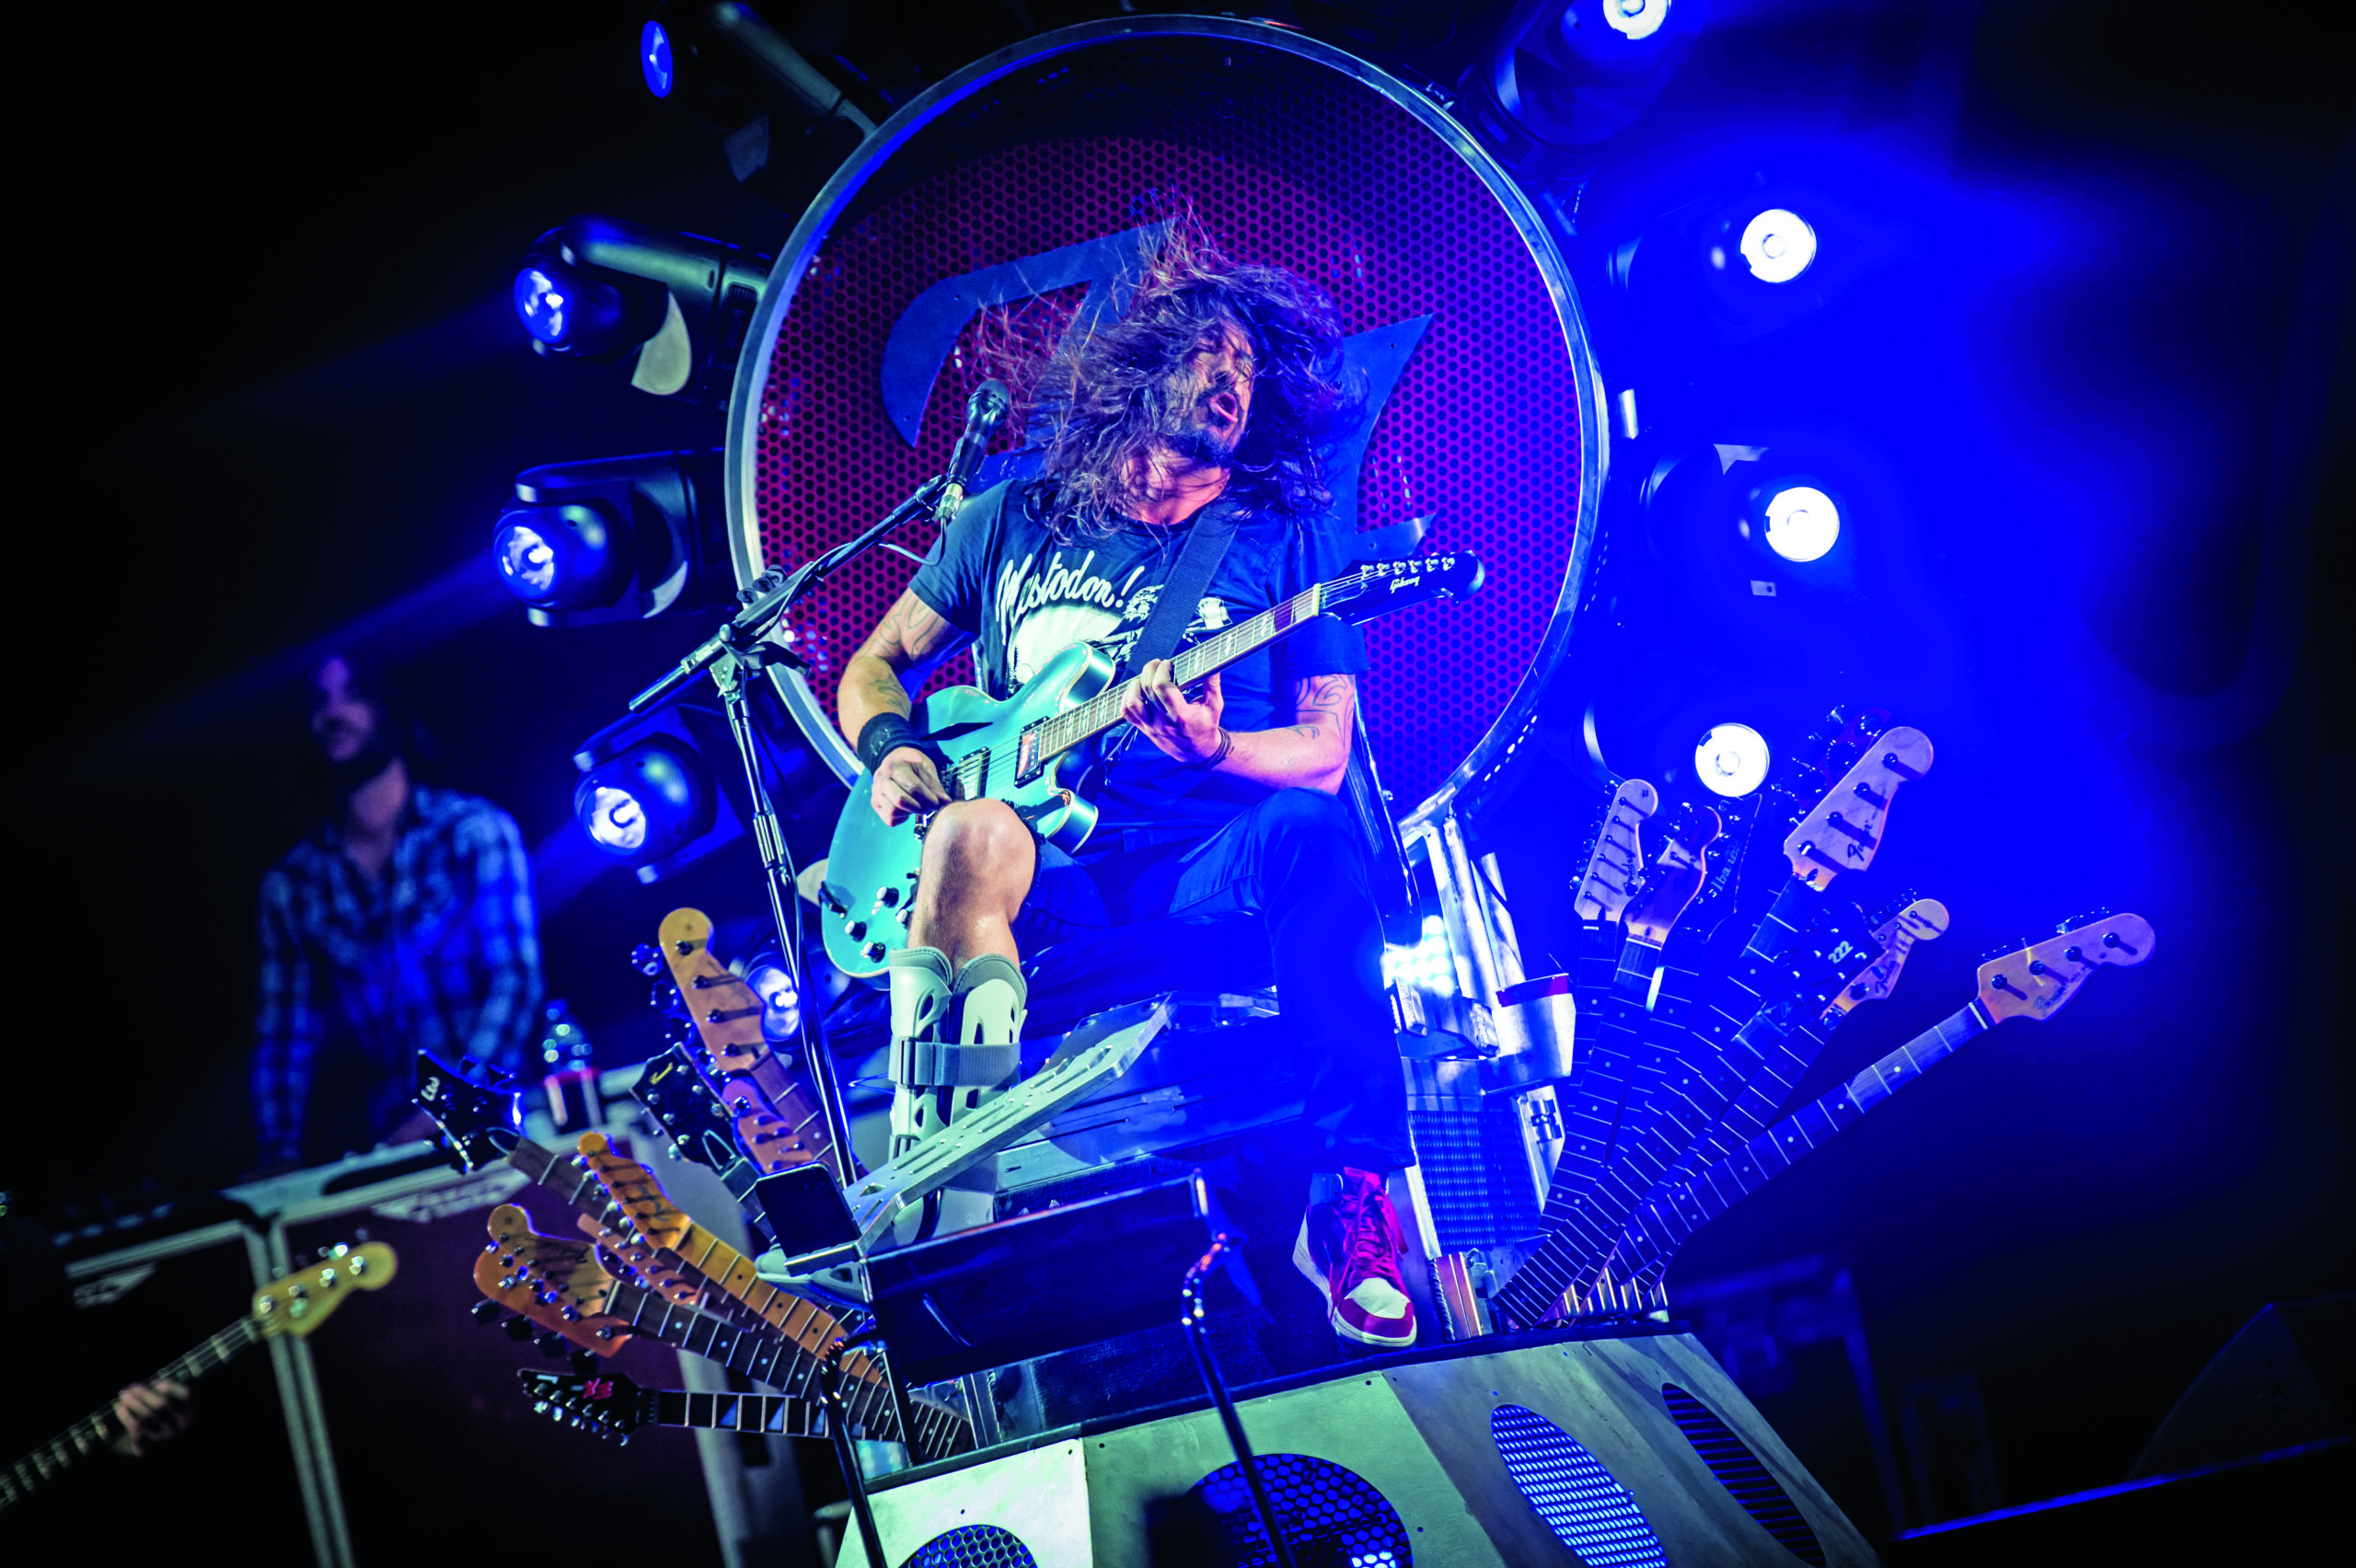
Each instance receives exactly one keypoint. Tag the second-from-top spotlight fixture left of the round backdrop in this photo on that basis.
(607, 291)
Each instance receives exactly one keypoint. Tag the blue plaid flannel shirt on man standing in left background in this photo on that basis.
(437, 957)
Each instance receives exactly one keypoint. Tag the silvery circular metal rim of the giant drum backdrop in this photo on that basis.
(816, 227)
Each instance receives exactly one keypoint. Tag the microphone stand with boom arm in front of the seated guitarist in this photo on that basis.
(736, 656)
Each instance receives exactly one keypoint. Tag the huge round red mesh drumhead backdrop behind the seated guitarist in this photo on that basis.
(1024, 178)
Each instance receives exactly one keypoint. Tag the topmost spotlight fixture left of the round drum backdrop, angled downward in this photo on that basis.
(781, 121)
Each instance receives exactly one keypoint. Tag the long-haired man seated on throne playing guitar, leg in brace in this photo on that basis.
(1215, 390)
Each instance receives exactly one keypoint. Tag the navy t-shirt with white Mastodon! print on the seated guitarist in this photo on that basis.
(1002, 576)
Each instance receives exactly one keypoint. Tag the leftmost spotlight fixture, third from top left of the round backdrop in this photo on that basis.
(618, 538)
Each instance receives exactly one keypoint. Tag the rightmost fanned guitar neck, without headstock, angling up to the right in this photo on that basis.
(1674, 1214)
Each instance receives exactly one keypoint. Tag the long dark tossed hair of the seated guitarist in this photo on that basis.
(1101, 392)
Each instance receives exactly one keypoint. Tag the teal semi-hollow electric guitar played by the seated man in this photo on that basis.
(1021, 750)
